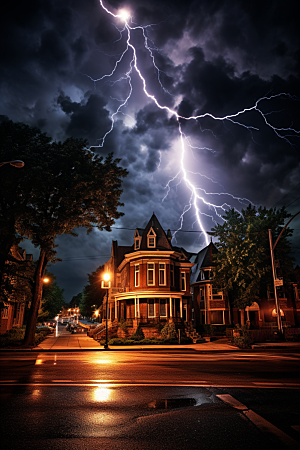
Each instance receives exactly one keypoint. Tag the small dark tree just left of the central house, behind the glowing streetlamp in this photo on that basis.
(93, 295)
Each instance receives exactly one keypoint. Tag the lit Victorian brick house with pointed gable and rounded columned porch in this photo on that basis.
(150, 282)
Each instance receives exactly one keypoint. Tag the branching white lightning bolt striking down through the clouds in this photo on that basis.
(198, 196)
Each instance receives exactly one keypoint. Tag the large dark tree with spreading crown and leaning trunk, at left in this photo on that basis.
(63, 185)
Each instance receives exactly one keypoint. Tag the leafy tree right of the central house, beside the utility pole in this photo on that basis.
(243, 262)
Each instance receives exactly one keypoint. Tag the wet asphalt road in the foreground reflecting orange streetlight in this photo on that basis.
(150, 400)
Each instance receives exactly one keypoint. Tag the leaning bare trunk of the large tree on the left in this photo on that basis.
(29, 339)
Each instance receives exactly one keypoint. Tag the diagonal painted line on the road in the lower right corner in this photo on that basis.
(261, 423)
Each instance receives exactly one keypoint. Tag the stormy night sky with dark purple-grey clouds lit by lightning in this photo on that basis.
(208, 58)
